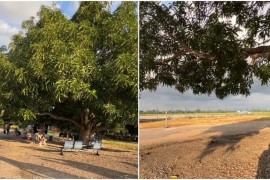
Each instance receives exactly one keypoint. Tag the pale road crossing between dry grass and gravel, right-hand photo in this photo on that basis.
(158, 135)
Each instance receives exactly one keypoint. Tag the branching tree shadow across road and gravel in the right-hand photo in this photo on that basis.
(232, 134)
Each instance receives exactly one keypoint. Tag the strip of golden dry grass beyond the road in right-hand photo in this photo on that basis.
(200, 121)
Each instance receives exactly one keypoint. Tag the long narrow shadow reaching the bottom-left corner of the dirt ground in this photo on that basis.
(49, 172)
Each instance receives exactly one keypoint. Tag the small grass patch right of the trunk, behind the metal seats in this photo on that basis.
(121, 144)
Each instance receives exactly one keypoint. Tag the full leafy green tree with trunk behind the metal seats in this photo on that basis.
(81, 70)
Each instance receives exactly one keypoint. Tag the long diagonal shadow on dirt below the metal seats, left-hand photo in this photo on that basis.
(108, 173)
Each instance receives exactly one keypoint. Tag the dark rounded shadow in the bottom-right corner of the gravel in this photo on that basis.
(263, 171)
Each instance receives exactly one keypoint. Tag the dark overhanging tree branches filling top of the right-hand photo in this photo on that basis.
(209, 47)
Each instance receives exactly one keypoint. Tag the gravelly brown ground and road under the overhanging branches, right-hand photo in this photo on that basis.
(225, 150)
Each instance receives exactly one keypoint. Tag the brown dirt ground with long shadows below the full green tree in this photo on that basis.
(20, 158)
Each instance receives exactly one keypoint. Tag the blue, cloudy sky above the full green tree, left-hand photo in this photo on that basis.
(12, 13)
